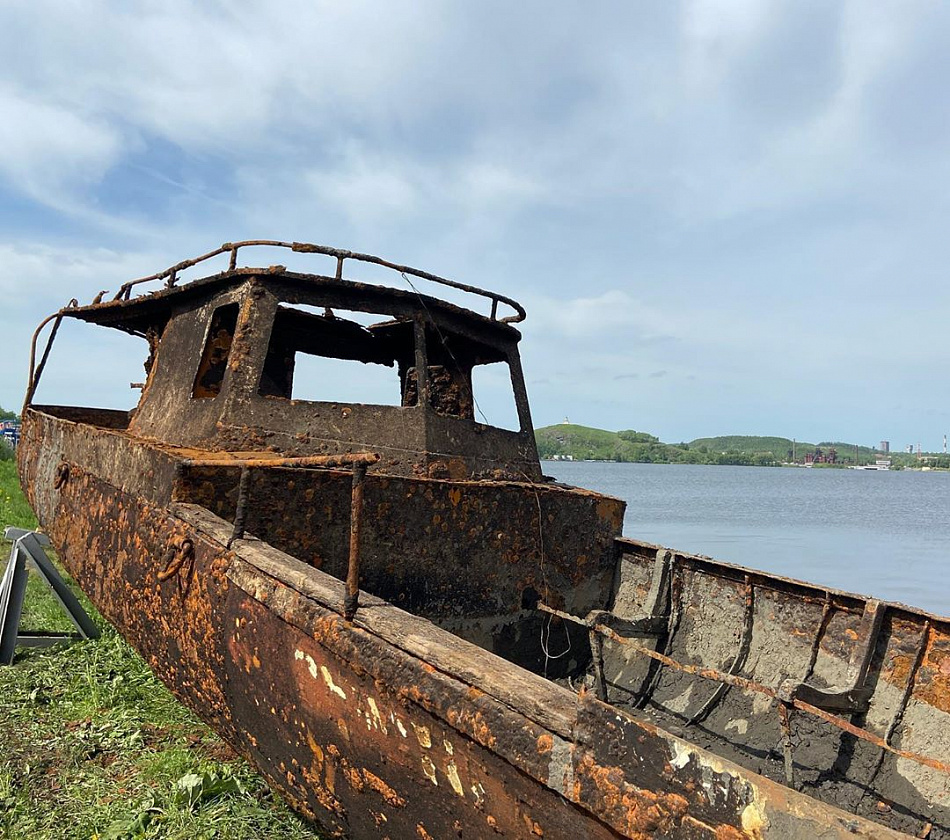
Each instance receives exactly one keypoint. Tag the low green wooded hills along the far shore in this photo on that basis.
(567, 440)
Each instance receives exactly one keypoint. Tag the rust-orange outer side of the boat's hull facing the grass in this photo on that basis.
(388, 725)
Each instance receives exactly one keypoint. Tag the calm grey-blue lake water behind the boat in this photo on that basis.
(885, 534)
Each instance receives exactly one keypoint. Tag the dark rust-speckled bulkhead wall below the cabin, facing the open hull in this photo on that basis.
(519, 542)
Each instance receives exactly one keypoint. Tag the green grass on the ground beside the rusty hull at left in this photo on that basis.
(93, 746)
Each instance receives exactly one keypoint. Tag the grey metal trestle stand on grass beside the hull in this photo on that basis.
(28, 548)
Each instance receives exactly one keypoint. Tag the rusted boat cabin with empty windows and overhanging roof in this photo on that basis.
(225, 351)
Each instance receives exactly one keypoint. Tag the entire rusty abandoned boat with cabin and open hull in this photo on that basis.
(412, 633)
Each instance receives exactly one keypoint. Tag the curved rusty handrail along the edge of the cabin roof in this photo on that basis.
(170, 275)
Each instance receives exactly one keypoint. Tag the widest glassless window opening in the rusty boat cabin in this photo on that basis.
(319, 354)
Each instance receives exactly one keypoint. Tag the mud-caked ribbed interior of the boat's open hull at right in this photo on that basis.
(781, 634)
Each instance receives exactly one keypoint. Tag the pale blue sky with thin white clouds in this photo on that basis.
(723, 217)
